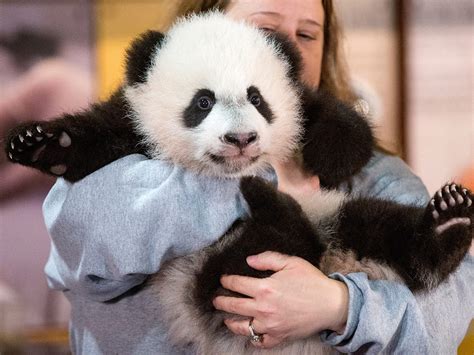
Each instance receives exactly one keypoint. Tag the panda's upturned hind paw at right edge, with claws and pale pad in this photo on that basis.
(451, 206)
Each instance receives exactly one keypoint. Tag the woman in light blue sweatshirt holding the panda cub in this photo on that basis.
(112, 314)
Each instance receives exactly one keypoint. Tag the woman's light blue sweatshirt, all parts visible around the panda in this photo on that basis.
(116, 226)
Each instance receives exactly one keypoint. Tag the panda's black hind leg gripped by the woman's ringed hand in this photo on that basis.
(283, 228)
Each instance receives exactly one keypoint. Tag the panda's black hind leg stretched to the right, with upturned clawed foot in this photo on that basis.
(424, 245)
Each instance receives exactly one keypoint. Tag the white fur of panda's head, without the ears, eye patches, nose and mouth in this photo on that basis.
(235, 59)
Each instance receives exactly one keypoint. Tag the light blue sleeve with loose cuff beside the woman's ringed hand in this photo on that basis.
(386, 318)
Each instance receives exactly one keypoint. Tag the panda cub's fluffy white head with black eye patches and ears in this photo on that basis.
(215, 95)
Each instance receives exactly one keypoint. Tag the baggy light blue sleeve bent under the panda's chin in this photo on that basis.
(115, 227)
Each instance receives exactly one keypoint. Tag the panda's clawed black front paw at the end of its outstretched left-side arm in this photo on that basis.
(39, 145)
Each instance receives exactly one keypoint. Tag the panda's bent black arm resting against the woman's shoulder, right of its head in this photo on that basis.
(337, 141)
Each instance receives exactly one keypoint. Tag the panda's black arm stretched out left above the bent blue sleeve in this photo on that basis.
(75, 145)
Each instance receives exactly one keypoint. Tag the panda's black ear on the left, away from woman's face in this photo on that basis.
(140, 54)
